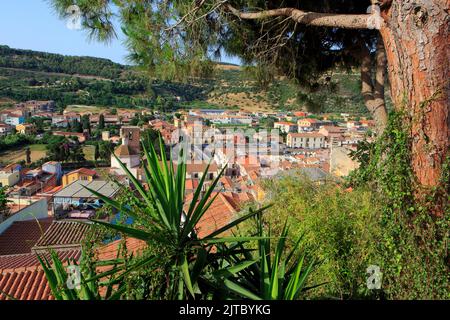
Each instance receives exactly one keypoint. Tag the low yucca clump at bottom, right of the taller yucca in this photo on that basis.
(281, 275)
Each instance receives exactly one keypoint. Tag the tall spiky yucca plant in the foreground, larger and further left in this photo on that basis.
(161, 221)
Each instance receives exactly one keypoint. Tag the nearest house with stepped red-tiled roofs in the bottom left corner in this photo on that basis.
(21, 274)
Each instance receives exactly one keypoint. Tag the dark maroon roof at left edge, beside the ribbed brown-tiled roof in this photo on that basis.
(22, 235)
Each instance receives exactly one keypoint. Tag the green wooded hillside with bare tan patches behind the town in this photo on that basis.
(27, 75)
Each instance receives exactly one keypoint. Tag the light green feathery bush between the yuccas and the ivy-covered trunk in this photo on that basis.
(340, 227)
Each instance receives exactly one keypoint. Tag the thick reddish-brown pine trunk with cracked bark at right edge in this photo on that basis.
(416, 38)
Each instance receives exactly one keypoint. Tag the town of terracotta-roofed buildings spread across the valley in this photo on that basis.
(51, 189)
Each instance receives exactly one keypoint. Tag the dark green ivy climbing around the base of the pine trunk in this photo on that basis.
(414, 245)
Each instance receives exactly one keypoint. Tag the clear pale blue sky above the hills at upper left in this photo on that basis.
(33, 25)
